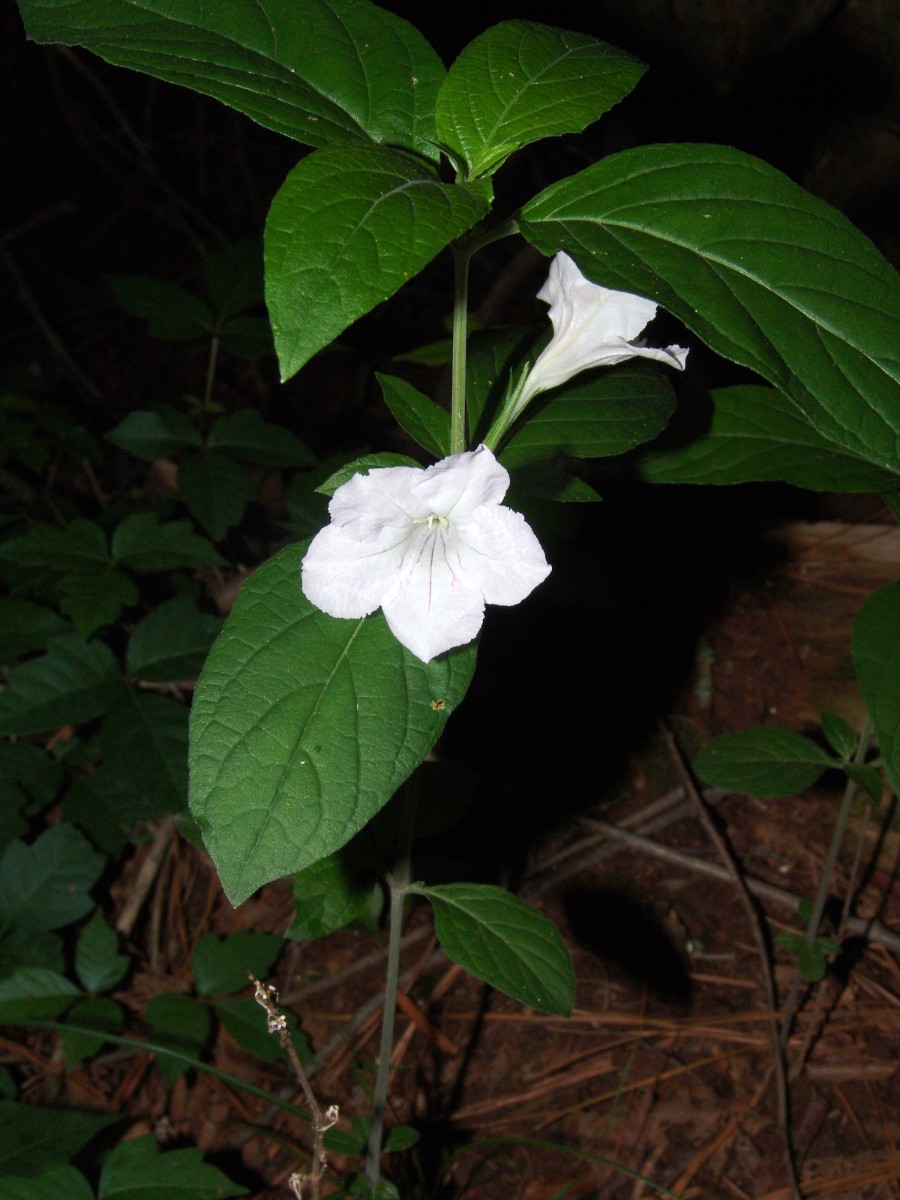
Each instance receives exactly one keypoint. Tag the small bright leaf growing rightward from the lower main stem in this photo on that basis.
(500, 939)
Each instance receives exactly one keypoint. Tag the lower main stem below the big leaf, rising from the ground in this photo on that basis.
(398, 883)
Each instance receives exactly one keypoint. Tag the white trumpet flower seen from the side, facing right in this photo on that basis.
(593, 327)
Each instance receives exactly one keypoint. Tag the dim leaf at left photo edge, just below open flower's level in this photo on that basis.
(74, 682)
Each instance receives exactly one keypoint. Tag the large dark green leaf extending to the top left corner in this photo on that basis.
(319, 71)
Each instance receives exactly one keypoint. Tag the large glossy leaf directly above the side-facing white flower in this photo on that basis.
(765, 273)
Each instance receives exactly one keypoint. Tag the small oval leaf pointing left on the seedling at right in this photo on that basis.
(765, 761)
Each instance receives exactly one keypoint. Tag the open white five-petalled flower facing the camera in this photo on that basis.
(430, 547)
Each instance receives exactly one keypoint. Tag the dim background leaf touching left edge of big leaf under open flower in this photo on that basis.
(145, 746)
